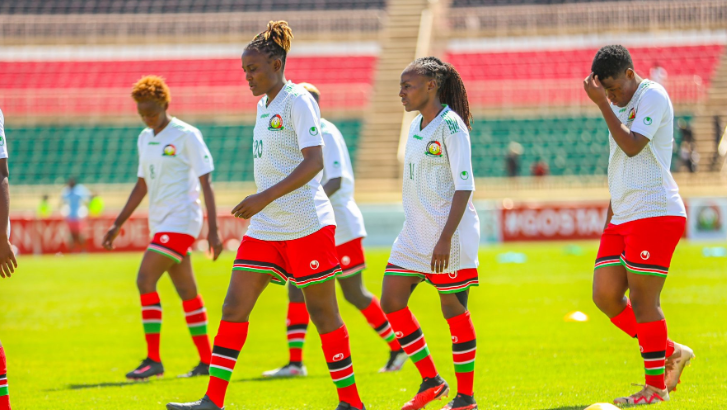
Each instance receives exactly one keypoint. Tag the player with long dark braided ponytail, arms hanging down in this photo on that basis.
(441, 233)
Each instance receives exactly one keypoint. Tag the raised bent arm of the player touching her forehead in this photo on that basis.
(631, 143)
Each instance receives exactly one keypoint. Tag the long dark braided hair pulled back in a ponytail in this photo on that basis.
(451, 87)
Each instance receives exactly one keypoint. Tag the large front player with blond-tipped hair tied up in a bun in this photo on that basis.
(292, 225)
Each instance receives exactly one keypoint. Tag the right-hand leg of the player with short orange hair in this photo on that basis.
(195, 313)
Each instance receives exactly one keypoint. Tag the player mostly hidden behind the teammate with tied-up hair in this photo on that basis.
(338, 184)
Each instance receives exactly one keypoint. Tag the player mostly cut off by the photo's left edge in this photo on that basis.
(7, 256)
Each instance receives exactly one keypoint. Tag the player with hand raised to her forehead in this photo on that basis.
(646, 216)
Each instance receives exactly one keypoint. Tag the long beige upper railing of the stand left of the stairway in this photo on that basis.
(153, 28)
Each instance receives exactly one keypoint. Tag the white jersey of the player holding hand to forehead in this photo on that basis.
(642, 186)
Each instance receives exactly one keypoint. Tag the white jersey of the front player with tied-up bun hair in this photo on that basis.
(290, 123)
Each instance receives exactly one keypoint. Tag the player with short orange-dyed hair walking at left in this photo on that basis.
(173, 163)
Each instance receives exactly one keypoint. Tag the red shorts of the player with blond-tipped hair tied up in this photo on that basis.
(304, 261)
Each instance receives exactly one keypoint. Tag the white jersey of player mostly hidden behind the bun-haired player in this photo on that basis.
(337, 164)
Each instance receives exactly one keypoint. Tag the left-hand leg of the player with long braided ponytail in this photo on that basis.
(398, 286)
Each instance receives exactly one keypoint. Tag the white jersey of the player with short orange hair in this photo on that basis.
(171, 163)
